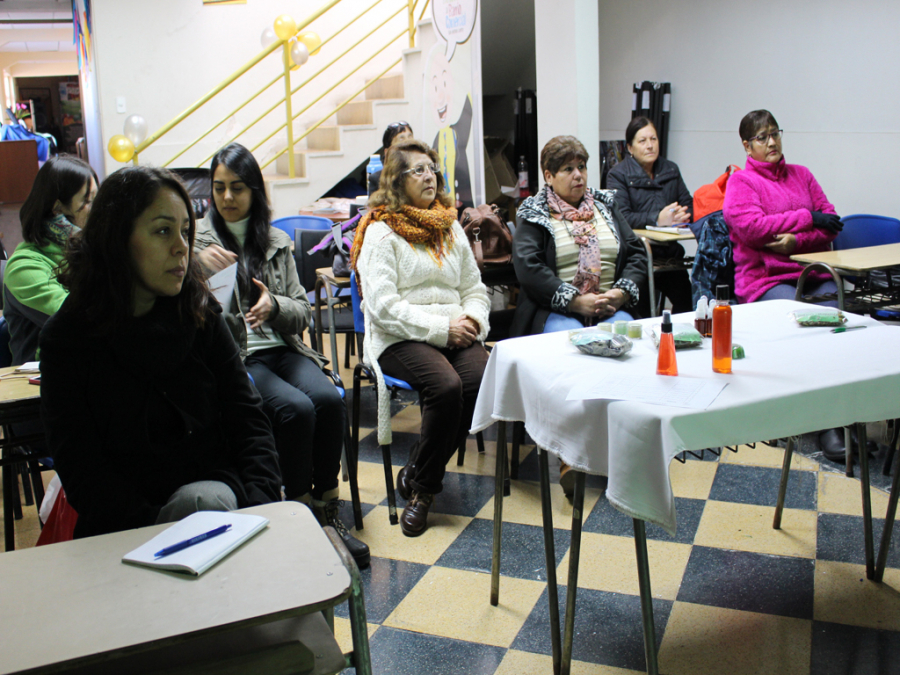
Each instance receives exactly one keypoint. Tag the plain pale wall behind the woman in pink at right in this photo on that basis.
(826, 70)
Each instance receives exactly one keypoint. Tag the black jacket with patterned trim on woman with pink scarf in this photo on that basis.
(534, 258)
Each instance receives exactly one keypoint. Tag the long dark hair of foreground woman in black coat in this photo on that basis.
(98, 270)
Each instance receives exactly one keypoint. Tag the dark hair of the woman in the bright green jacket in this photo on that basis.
(60, 179)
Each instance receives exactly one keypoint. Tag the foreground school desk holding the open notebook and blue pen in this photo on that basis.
(76, 607)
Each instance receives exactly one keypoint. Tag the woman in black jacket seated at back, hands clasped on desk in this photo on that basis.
(650, 191)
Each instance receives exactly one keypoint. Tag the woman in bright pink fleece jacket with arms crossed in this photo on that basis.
(774, 210)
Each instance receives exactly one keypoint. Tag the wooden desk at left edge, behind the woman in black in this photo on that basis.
(20, 402)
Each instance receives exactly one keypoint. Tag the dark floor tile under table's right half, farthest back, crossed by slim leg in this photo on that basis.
(759, 485)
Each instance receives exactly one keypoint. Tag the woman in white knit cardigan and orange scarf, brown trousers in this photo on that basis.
(426, 314)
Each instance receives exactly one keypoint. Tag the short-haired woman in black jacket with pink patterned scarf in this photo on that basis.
(575, 255)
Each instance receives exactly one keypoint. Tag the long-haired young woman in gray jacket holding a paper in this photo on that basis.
(268, 312)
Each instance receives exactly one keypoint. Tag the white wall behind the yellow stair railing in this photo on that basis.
(162, 56)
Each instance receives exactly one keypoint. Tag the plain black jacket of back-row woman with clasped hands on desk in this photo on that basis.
(640, 198)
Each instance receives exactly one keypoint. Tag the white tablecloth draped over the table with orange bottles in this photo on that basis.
(794, 380)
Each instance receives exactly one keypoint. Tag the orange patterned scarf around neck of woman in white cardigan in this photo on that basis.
(430, 227)
